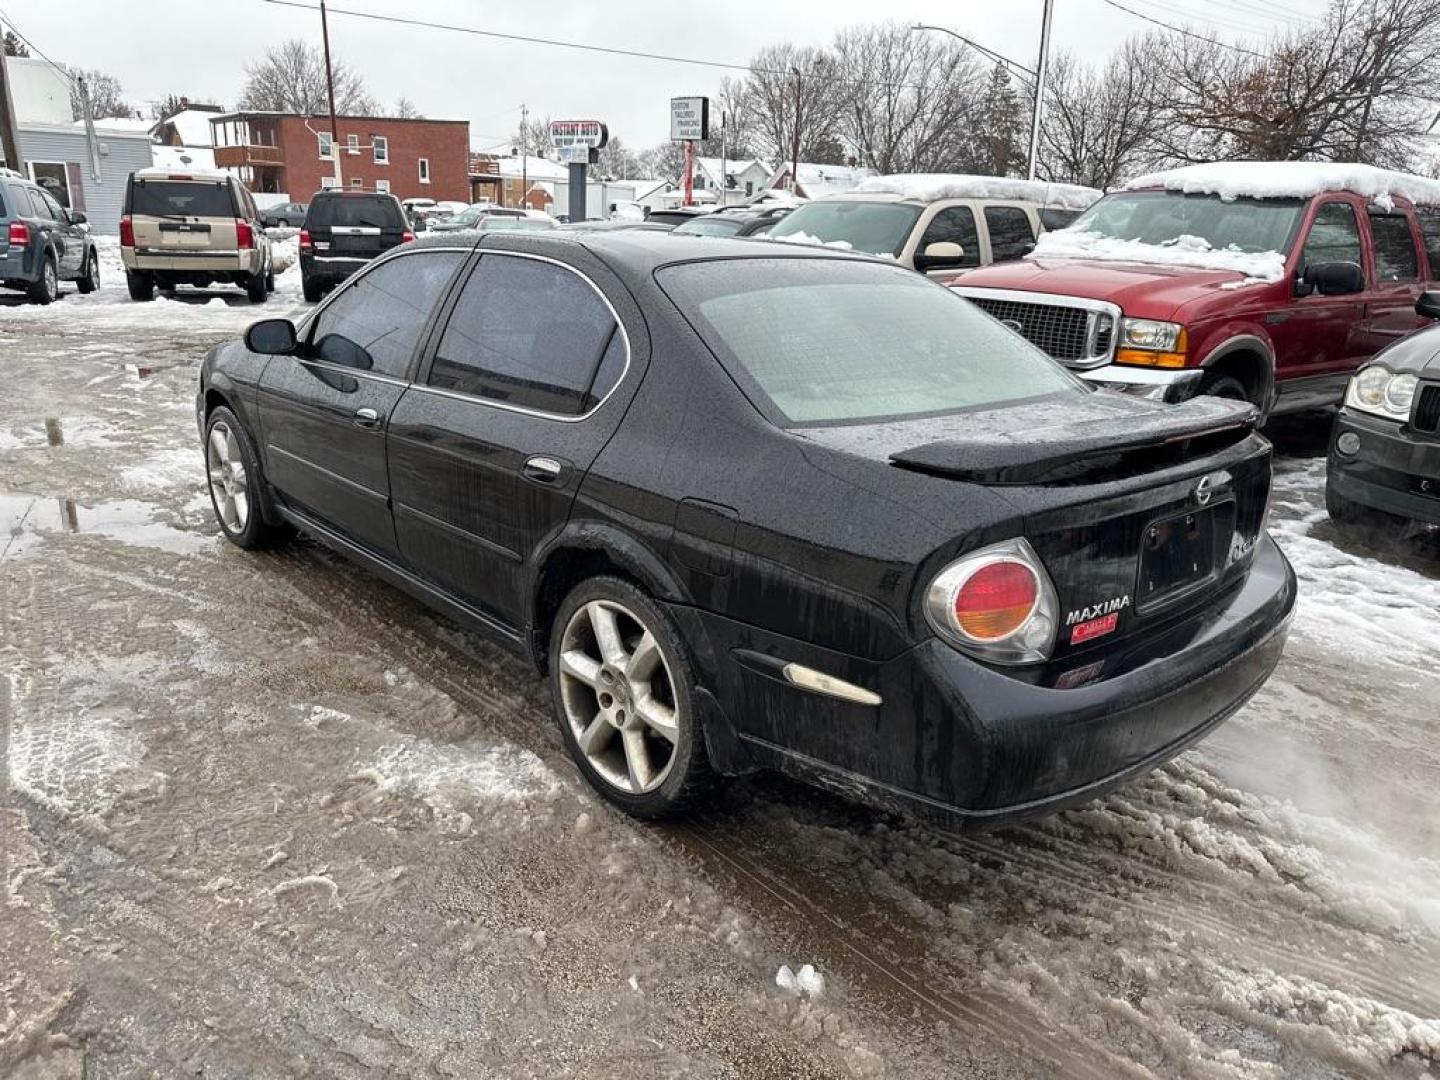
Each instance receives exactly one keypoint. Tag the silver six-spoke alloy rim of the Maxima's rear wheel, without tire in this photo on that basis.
(620, 696)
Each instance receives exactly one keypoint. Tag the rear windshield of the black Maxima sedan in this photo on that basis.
(843, 341)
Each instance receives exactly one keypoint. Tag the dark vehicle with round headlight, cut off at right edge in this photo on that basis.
(1385, 462)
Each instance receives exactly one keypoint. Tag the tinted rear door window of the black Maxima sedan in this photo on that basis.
(531, 335)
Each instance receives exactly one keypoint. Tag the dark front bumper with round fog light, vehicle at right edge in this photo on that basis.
(1393, 469)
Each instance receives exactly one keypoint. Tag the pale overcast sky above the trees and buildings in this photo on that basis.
(199, 48)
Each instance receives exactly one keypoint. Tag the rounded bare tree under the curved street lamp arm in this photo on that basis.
(909, 100)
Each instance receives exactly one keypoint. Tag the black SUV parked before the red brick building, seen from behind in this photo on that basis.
(343, 231)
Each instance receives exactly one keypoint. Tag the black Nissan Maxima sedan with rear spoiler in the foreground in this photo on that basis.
(752, 506)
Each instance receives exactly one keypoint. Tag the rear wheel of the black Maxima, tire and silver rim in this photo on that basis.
(623, 686)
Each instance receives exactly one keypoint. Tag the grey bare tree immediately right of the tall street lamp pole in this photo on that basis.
(1101, 126)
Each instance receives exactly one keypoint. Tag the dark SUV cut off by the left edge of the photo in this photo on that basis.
(42, 243)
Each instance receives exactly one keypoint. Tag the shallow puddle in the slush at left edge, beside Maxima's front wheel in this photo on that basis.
(30, 521)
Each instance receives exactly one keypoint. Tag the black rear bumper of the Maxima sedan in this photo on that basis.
(974, 747)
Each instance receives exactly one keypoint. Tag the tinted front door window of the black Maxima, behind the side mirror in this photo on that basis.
(374, 325)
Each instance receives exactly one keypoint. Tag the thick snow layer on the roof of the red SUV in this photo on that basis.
(1292, 181)
